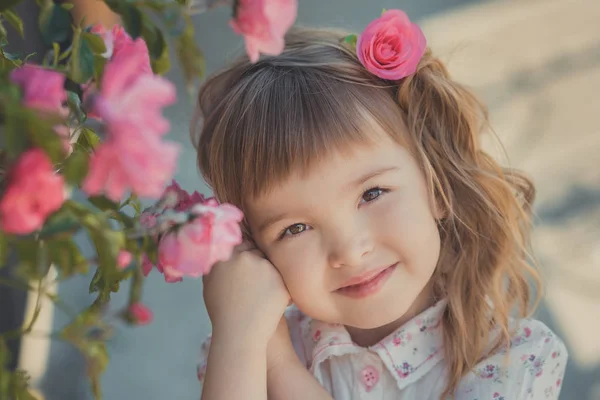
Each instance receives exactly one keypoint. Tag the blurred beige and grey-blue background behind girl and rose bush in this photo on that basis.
(537, 65)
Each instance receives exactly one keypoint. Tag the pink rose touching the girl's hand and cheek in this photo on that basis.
(194, 248)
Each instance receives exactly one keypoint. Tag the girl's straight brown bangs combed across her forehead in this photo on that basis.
(286, 120)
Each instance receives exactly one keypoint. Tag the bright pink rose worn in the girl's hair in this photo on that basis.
(391, 46)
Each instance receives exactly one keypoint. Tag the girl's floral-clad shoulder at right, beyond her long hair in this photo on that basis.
(531, 367)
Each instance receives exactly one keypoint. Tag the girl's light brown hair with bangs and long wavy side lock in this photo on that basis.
(256, 123)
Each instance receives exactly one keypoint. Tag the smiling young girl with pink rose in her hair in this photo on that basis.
(371, 207)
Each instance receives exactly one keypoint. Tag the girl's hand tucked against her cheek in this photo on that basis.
(245, 296)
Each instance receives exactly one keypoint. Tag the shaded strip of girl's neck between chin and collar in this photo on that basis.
(369, 337)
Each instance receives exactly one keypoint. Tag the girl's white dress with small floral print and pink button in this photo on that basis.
(409, 363)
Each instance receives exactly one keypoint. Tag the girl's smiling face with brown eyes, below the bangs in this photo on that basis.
(356, 239)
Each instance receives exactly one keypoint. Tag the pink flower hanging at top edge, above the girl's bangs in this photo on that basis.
(263, 23)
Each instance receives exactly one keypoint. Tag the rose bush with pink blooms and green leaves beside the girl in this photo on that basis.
(109, 79)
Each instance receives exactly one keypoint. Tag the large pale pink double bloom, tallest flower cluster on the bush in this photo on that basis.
(133, 156)
